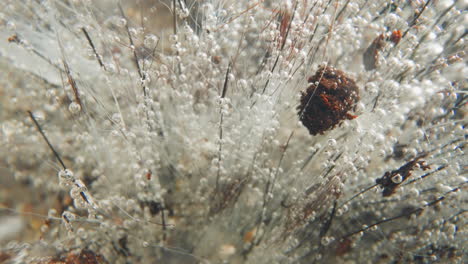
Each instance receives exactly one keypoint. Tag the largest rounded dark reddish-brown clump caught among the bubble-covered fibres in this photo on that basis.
(328, 100)
